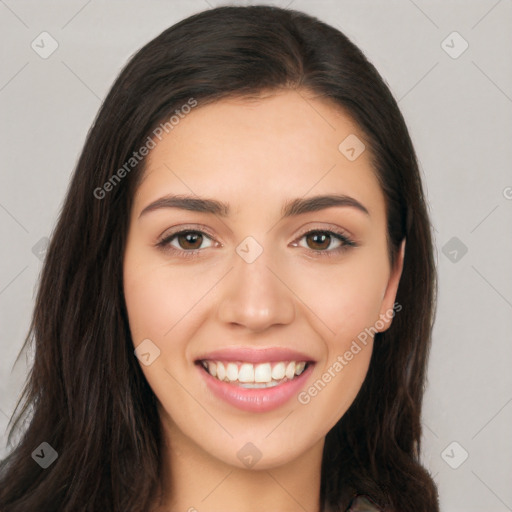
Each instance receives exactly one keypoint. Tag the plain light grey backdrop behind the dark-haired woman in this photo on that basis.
(459, 114)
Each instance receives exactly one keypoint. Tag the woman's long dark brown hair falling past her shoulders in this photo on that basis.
(86, 395)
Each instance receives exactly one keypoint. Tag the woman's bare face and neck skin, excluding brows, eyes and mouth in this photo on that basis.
(255, 155)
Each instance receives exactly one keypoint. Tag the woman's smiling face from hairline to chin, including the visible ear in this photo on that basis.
(258, 286)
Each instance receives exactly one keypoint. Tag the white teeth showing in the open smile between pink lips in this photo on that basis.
(254, 376)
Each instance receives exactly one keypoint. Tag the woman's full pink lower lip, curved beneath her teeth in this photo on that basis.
(256, 400)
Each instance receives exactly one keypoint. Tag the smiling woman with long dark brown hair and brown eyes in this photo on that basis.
(236, 307)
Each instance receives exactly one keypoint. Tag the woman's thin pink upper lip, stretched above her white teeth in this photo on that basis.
(251, 355)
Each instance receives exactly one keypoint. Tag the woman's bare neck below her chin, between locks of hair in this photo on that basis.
(193, 480)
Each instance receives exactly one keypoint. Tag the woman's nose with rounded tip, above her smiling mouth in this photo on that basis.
(256, 295)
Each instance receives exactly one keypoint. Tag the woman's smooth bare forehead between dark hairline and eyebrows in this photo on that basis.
(282, 145)
